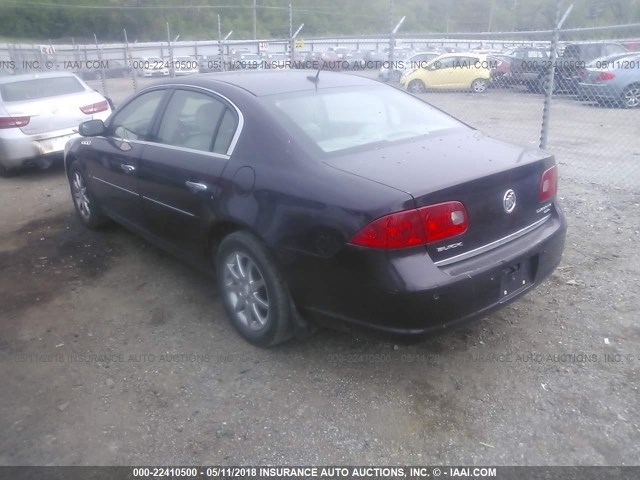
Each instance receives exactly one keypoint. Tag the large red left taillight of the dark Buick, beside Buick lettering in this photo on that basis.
(410, 228)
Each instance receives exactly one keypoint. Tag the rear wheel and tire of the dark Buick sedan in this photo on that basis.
(253, 292)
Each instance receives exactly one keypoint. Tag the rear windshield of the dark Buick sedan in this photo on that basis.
(339, 119)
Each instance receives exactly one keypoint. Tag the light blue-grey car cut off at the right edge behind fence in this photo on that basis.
(617, 82)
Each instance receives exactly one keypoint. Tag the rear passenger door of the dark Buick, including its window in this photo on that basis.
(181, 169)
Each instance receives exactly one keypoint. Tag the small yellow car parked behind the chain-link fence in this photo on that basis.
(452, 71)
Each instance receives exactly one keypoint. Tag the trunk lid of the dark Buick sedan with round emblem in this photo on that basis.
(467, 167)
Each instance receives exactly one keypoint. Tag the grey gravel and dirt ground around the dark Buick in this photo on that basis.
(114, 353)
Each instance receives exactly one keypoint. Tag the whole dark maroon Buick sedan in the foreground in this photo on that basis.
(312, 200)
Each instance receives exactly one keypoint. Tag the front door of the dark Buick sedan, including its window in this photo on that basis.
(112, 160)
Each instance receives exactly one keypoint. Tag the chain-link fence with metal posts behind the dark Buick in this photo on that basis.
(498, 83)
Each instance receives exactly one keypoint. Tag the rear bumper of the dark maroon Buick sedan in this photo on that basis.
(408, 295)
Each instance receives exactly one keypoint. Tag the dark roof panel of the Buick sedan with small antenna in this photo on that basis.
(270, 82)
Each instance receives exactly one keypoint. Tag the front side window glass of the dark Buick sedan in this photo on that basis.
(133, 122)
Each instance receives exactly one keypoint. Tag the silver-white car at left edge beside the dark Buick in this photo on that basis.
(39, 113)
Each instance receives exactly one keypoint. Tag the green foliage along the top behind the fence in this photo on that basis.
(41, 20)
